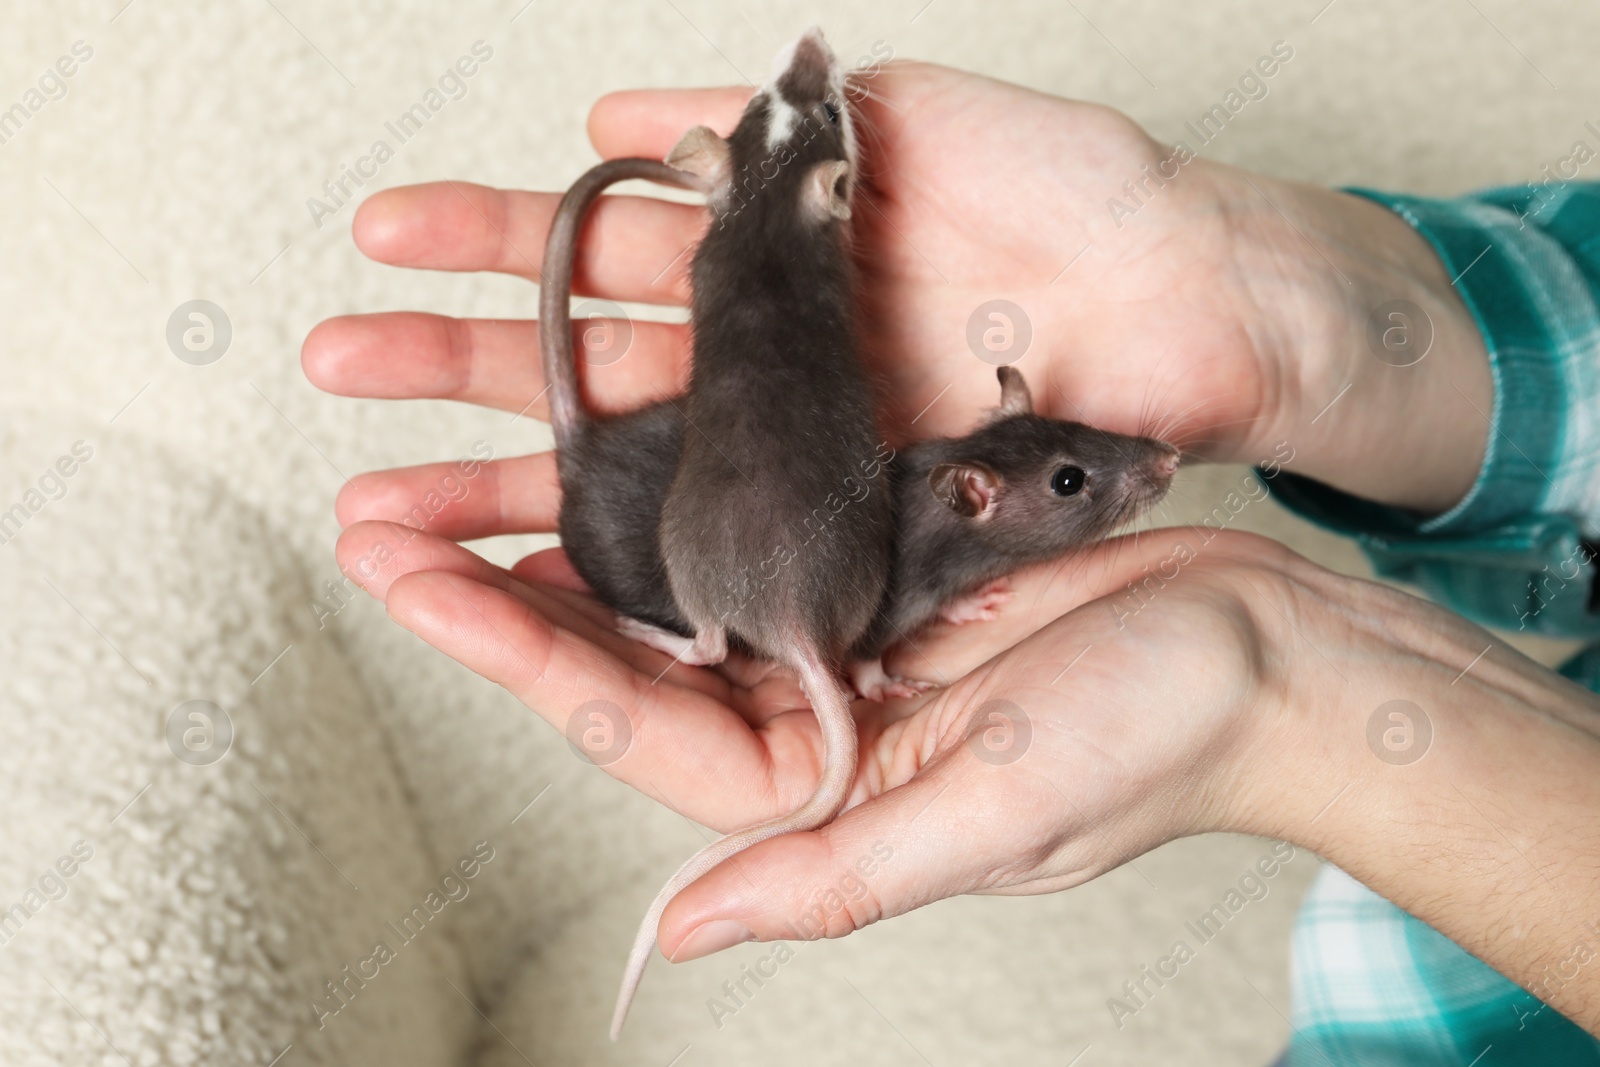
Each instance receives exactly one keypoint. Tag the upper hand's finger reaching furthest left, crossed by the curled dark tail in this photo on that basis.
(494, 362)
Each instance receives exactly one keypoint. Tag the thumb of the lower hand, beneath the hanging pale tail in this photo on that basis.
(887, 857)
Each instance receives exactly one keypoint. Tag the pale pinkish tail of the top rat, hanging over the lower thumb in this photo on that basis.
(831, 705)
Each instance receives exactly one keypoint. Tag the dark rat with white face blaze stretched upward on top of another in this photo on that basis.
(777, 526)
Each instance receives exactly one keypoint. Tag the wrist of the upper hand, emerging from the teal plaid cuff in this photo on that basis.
(1385, 388)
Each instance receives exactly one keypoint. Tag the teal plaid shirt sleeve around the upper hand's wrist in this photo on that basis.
(1519, 551)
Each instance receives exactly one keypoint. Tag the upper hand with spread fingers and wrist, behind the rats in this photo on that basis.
(1226, 314)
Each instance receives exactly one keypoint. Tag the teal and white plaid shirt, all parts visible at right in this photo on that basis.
(1375, 986)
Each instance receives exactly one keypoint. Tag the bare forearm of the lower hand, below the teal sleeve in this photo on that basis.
(1476, 805)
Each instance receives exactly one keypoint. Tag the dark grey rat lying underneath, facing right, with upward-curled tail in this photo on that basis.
(615, 474)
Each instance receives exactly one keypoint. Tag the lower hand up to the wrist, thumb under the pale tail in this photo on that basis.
(1082, 777)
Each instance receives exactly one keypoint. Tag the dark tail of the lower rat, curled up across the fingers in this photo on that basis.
(556, 287)
